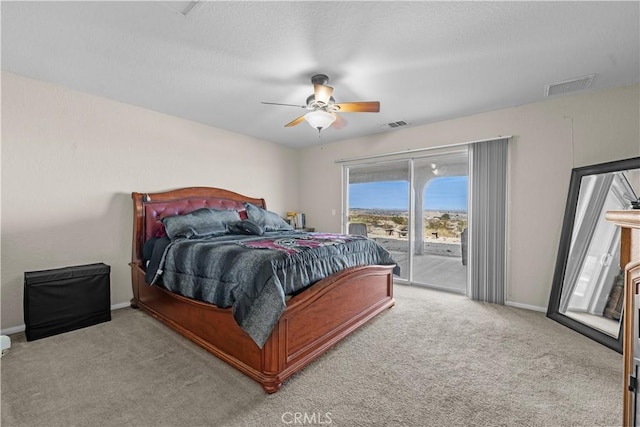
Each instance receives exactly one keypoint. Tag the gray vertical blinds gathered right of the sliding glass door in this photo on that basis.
(487, 220)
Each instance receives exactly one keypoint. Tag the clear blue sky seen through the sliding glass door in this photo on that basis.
(445, 193)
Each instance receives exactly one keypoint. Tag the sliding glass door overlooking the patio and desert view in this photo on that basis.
(417, 209)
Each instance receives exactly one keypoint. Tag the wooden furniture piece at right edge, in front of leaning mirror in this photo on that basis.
(629, 222)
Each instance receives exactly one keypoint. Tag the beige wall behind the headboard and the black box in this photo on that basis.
(70, 162)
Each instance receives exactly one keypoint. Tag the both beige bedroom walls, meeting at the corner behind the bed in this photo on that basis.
(71, 160)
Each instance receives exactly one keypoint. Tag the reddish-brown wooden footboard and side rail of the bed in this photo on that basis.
(314, 321)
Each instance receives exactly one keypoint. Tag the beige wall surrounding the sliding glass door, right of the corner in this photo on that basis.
(549, 139)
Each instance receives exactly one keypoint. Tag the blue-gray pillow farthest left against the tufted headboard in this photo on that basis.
(203, 222)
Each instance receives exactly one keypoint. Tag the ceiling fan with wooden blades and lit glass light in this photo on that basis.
(323, 107)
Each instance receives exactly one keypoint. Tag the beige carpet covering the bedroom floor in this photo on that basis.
(435, 359)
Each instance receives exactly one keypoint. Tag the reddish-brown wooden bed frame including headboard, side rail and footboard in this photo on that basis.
(314, 320)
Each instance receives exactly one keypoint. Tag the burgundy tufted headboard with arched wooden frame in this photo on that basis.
(150, 208)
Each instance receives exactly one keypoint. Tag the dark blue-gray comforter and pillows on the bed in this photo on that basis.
(250, 264)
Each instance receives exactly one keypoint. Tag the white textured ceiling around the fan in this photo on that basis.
(424, 61)
